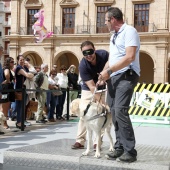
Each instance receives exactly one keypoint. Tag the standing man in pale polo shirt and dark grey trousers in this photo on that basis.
(122, 74)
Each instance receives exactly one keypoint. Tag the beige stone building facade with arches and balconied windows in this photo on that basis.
(74, 21)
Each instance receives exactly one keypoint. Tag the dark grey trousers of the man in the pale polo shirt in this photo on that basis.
(120, 90)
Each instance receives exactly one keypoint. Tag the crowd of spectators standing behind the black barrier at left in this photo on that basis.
(24, 74)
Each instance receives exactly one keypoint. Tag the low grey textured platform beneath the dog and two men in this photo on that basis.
(58, 155)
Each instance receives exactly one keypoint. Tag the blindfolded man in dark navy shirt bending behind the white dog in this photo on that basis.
(90, 66)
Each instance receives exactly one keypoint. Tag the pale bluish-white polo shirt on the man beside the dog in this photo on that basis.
(127, 36)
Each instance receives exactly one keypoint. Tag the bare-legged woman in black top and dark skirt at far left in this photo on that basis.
(8, 82)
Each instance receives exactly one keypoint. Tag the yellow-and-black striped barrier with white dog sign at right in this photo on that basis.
(161, 107)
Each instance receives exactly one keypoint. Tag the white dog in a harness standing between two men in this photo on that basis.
(81, 108)
